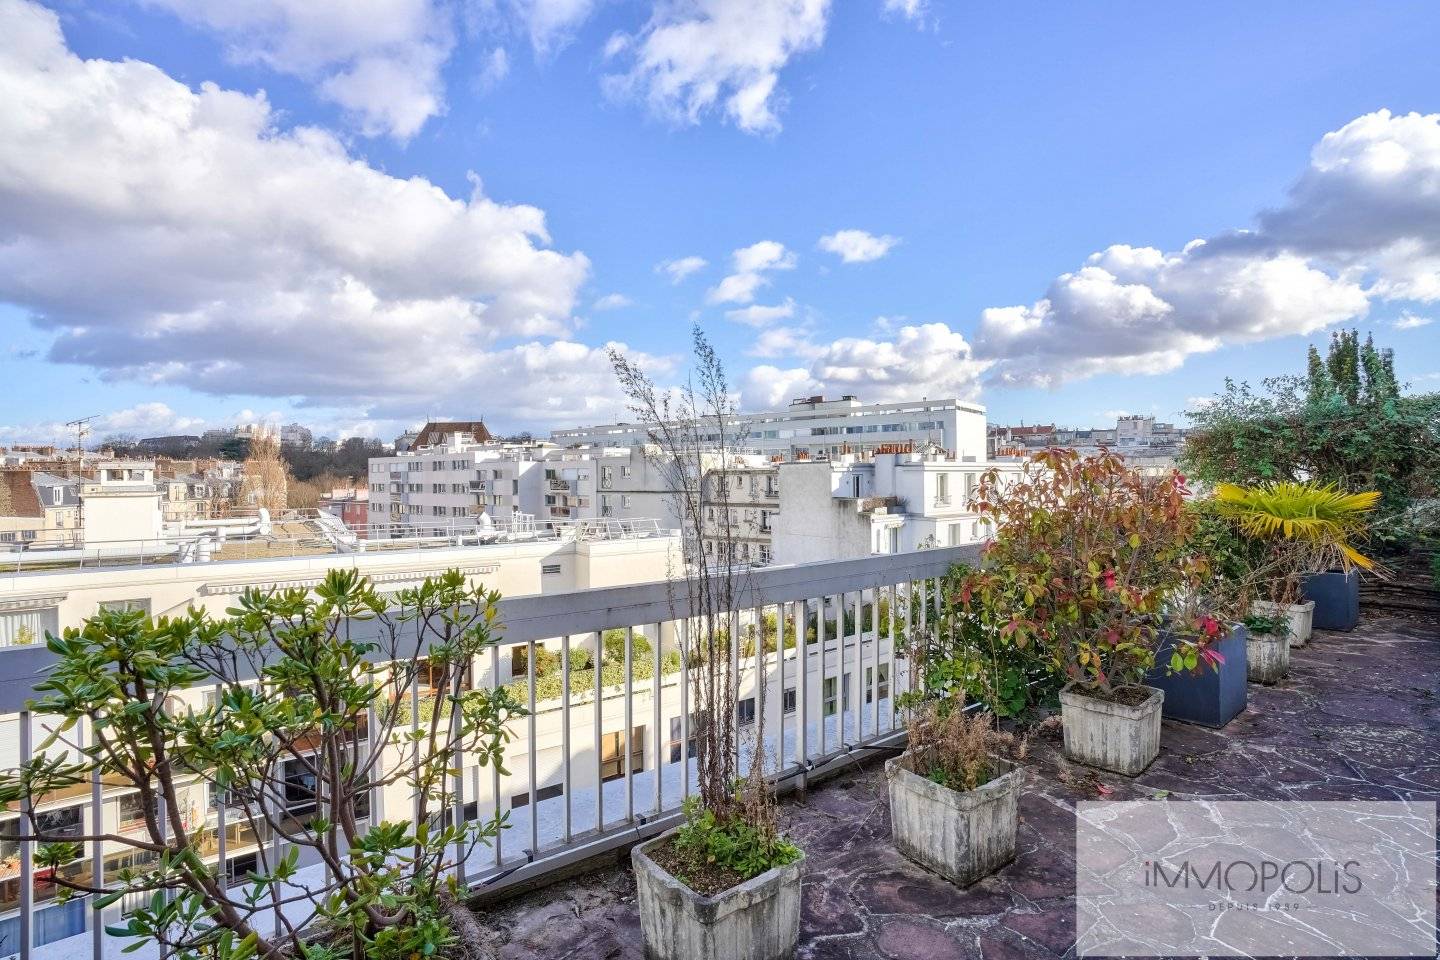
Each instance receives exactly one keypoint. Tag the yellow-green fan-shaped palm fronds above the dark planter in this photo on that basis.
(1314, 523)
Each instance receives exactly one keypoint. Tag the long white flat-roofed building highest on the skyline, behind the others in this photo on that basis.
(816, 428)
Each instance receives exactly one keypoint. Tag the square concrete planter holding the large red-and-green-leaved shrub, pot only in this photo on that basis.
(1101, 733)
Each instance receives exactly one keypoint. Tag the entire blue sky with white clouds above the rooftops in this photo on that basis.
(361, 214)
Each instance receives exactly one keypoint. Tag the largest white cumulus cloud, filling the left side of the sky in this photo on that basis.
(182, 237)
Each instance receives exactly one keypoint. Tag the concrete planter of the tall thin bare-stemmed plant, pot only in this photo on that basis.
(758, 920)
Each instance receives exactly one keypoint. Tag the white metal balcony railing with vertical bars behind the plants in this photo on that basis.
(598, 765)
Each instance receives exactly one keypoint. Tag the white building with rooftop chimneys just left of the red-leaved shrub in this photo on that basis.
(888, 504)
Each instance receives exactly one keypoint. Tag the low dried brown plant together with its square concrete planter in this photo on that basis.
(955, 792)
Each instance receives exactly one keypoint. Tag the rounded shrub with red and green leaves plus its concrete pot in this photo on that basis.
(1086, 553)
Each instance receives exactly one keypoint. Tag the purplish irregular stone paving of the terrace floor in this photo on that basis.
(1357, 719)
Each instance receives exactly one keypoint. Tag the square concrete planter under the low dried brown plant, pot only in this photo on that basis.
(961, 836)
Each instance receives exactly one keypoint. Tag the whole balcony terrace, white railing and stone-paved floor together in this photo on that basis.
(1338, 726)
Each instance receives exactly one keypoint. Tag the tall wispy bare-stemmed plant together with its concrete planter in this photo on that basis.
(724, 886)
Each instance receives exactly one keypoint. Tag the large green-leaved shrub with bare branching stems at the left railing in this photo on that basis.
(305, 729)
